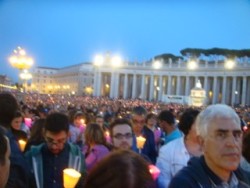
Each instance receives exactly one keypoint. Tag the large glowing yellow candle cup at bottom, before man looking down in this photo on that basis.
(70, 177)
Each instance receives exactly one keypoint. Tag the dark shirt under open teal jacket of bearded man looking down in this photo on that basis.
(53, 165)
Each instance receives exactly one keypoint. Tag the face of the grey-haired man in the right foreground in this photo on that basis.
(222, 146)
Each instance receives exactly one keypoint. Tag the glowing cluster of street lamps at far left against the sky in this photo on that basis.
(22, 62)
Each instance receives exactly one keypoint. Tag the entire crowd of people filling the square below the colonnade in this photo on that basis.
(114, 143)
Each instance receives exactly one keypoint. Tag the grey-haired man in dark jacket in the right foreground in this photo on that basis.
(219, 130)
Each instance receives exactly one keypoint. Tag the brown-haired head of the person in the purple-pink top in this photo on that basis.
(94, 134)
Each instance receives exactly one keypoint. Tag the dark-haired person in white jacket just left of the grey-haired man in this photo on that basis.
(175, 155)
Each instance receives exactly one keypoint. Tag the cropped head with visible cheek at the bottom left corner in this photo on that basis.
(4, 159)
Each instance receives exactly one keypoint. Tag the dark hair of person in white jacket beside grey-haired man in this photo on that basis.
(187, 119)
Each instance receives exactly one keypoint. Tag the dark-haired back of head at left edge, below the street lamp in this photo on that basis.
(8, 108)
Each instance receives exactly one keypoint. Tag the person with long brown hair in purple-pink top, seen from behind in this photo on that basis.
(96, 146)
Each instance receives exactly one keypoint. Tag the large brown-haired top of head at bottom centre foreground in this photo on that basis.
(123, 169)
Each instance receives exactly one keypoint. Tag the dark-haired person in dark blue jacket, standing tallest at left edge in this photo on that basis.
(19, 174)
